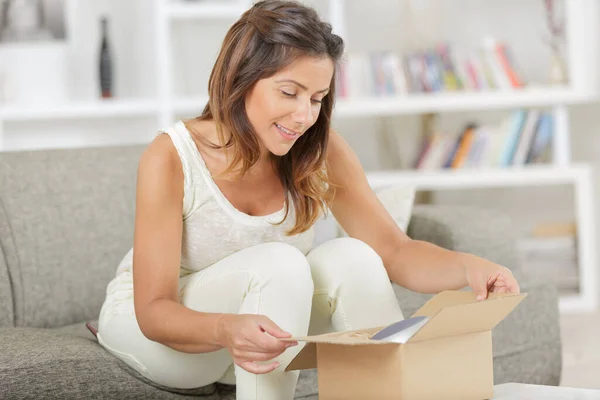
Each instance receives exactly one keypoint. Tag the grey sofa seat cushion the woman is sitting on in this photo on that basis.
(67, 362)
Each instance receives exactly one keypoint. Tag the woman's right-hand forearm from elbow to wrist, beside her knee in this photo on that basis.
(426, 268)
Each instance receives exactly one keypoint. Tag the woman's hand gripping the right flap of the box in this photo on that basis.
(485, 277)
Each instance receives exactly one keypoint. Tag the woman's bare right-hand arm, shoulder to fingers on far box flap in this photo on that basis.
(416, 265)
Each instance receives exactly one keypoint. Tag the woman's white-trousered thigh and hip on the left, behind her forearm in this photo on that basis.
(221, 288)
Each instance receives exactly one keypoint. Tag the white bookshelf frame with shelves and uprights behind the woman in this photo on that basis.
(166, 106)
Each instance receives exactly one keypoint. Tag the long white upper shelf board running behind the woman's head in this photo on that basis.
(355, 108)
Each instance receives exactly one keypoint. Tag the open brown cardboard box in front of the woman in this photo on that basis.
(448, 357)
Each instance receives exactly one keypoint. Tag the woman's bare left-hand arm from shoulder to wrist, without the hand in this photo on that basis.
(157, 253)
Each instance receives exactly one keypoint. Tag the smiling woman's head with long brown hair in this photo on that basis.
(271, 99)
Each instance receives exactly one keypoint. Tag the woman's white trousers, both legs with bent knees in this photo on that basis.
(340, 285)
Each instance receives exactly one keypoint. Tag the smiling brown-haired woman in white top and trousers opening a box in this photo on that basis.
(221, 264)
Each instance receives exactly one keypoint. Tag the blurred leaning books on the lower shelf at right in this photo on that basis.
(524, 137)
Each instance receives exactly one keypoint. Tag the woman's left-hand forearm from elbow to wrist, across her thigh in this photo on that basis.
(170, 323)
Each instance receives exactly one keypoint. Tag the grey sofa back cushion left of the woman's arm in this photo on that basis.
(70, 215)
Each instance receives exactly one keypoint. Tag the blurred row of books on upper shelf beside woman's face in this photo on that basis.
(435, 69)
